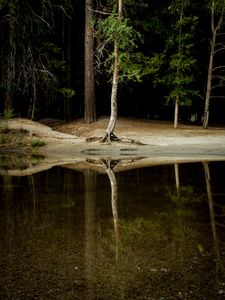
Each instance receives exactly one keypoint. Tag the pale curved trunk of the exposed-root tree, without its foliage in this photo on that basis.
(112, 121)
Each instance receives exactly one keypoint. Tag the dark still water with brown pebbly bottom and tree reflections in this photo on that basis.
(150, 233)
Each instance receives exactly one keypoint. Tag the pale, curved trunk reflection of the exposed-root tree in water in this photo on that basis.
(114, 196)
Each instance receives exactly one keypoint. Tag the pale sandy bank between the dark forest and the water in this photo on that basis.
(155, 142)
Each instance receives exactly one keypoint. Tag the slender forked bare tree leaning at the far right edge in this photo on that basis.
(217, 7)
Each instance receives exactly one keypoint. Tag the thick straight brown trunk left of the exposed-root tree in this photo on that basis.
(89, 91)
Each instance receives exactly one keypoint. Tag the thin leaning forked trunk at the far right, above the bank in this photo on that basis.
(211, 62)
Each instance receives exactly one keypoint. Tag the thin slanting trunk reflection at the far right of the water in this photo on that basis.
(211, 211)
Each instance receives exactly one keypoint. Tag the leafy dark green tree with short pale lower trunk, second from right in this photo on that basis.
(179, 77)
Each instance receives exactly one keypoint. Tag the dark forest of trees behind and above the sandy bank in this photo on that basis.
(67, 58)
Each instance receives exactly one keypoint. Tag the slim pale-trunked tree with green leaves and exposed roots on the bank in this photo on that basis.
(122, 63)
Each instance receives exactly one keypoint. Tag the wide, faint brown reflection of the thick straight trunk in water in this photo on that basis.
(90, 187)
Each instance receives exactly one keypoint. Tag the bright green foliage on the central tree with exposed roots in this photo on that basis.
(133, 64)
